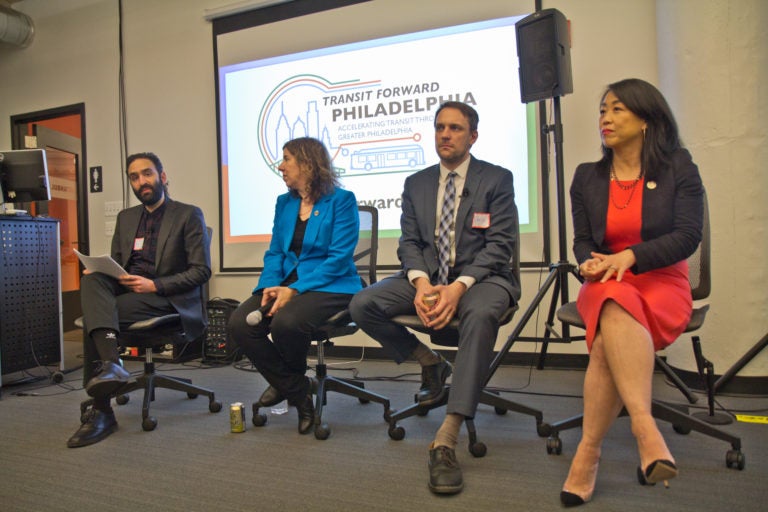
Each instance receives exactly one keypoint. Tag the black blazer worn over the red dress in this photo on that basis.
(672, 213)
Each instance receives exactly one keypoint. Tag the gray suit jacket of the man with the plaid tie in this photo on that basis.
(484, 254)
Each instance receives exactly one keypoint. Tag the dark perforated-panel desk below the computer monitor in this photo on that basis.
(30, 293)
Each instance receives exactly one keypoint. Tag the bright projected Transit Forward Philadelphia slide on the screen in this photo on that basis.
(372, 104)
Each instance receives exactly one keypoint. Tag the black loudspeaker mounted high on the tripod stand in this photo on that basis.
(544, 52)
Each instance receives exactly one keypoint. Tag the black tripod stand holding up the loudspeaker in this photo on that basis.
(558, 272)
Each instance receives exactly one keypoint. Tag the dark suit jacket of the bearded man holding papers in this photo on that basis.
(182, 261)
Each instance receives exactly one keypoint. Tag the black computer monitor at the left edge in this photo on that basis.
(24, 176)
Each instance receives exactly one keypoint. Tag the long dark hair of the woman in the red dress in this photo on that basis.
(661, 136)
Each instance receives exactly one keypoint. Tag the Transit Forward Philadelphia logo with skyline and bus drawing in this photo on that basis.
(368, 127)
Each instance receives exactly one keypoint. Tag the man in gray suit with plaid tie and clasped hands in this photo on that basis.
(480, 286)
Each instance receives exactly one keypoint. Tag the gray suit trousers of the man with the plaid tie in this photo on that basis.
(478, 312)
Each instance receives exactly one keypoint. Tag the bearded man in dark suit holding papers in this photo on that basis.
(164, 247)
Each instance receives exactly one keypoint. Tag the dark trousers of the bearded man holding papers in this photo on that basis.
(109, 305)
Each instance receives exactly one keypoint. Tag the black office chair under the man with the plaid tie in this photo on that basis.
(448, 336)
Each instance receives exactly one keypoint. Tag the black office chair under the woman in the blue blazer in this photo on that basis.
(341, 324)
